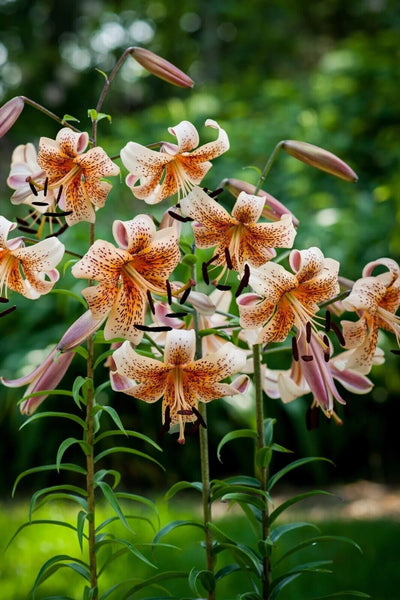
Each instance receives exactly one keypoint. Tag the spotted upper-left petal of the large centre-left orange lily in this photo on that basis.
(102, 262)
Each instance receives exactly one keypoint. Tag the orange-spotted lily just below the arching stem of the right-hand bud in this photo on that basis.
(239, 239)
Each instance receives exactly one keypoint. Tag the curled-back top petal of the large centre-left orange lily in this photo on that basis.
(134, 235)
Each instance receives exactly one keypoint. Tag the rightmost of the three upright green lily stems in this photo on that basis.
(262, 471)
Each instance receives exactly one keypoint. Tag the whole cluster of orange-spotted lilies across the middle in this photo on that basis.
(132, 291)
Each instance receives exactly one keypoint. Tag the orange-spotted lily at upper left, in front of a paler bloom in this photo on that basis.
(80, 173)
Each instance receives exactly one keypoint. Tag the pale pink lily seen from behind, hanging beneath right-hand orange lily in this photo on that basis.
(312, 371)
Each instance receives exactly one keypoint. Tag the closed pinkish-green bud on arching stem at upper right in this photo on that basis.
(320, 159)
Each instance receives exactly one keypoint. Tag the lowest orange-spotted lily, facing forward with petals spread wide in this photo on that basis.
(180, 380)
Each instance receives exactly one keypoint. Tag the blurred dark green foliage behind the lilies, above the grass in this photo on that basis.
(326, 72)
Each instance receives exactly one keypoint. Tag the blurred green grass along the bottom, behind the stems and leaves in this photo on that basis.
(375, 571)
